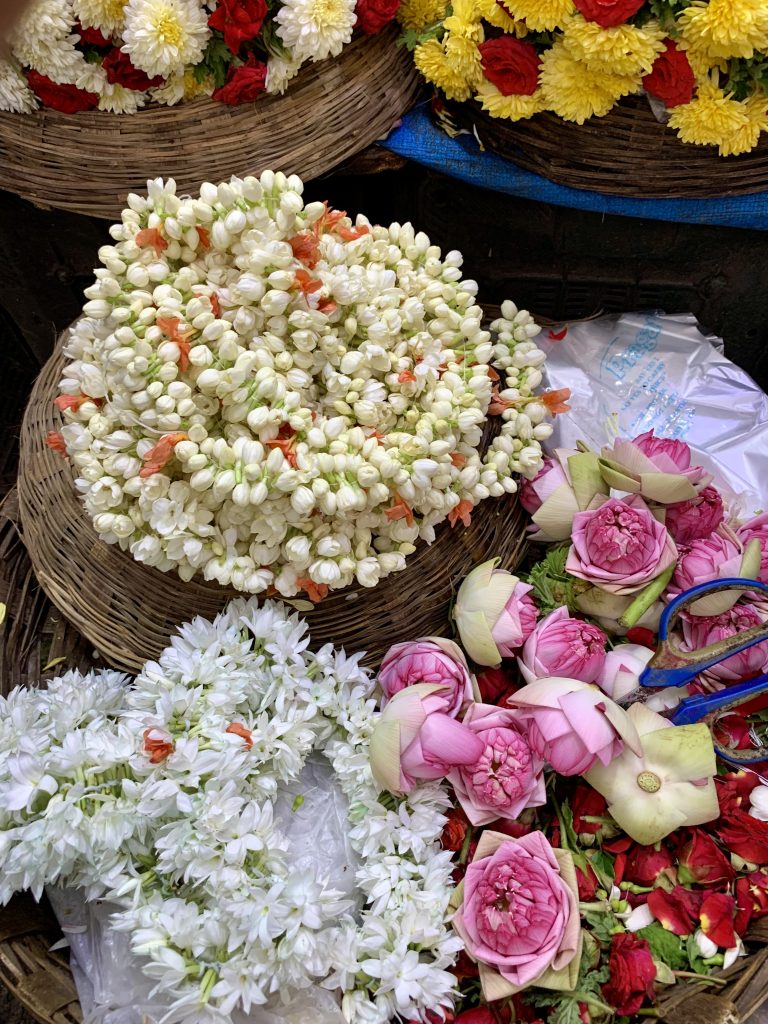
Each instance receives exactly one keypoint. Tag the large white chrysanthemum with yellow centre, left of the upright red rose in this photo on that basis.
(163, 36)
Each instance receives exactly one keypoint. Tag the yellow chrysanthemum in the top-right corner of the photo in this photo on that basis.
(726, 28)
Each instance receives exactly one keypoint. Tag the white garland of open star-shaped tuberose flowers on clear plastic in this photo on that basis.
(189, 845)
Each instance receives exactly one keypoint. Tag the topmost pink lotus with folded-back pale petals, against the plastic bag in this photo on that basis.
(658, 468)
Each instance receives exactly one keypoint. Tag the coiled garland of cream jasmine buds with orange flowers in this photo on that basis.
(269, 396)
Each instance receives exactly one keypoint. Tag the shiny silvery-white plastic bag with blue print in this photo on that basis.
(632, 373)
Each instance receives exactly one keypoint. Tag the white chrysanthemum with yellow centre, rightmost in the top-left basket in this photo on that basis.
(314, 30)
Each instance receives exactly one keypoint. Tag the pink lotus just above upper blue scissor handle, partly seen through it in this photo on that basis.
(717, 558)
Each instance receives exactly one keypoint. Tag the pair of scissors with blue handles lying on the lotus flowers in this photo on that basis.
(673, 667)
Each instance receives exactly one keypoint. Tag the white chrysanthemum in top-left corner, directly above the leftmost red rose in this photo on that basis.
(42, 38)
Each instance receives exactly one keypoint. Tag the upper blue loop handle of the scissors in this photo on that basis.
(673, 667)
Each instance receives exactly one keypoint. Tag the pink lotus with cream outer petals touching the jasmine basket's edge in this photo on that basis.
(494, 614)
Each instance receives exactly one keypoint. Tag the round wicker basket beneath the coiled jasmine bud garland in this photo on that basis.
(129, 611)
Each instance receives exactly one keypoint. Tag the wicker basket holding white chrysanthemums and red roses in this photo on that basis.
(90, 162)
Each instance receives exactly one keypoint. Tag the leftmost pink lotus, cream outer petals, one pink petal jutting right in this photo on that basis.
(414, 740)
